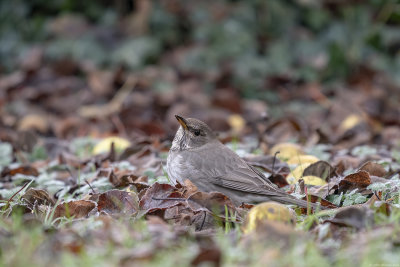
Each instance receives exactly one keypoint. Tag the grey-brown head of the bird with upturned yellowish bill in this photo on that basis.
(192, 133)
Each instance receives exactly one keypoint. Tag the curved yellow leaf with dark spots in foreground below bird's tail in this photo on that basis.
(268, 211)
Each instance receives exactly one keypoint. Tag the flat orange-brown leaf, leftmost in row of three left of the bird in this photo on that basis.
(75, 208)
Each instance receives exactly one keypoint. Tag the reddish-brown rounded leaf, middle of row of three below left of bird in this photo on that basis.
(118, 201)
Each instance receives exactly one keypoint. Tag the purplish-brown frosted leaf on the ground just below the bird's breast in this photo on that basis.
(160, 197)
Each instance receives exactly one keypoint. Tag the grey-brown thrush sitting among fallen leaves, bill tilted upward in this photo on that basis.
(196, 154)
